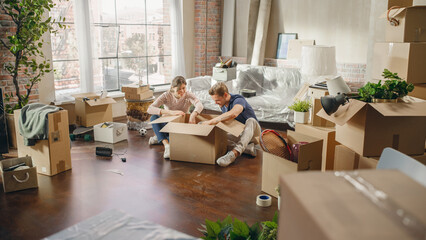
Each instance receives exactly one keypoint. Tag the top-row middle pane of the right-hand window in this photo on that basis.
(130, 11)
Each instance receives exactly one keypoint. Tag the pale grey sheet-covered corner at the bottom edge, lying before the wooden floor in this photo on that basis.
(113, 225)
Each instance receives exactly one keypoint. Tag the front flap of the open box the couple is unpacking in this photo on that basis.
(190, 129)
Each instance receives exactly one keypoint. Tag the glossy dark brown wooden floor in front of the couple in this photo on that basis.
(178, 195)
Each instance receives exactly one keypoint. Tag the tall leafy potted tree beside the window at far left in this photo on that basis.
(28, 65)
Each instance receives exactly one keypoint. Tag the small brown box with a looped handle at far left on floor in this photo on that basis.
(18, 179)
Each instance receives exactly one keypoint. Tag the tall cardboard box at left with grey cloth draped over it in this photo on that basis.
(50, 156)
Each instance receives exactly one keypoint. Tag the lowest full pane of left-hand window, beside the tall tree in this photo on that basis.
(67, 77)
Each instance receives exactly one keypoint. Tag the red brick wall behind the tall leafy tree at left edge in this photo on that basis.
(6, 83)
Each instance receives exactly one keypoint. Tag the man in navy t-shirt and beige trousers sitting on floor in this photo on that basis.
(235, 106)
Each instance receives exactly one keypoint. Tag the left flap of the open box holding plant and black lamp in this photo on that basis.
(344, 113)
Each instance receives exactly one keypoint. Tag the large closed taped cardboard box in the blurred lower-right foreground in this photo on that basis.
(324, 206)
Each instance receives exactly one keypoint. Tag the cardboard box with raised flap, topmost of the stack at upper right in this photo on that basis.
(412, 22)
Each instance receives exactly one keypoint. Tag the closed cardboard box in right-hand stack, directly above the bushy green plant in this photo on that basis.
(406, 59)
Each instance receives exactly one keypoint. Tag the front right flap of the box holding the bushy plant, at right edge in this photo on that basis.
(417, 109)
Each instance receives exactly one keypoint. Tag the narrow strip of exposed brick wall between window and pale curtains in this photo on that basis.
(207, 35)
